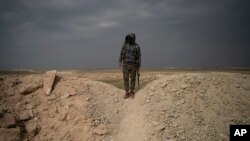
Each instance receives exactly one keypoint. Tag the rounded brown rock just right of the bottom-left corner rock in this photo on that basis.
(33, 128)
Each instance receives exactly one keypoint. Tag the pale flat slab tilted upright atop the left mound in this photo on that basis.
(48, 81)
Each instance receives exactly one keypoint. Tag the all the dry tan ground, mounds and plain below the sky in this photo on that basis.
(171, 106)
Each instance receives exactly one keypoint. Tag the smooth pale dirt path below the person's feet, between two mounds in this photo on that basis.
(133, 125)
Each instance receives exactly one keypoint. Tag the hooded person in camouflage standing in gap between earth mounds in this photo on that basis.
(130, 60)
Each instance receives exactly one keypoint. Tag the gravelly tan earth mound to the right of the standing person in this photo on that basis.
(197, 106)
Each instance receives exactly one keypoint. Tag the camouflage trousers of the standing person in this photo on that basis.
(129, 71)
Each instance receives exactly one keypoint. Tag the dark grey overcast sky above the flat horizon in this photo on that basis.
(78, 34)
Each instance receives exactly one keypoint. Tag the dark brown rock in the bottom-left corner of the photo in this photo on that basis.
(10, 134)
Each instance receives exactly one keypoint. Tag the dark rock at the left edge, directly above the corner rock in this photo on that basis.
(8, 121)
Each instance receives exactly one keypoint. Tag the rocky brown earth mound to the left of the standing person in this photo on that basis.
(77, 109)
